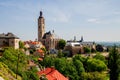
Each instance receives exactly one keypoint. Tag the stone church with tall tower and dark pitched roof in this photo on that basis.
(49, 39)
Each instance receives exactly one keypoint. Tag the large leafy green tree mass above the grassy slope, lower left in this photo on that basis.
(12, 57)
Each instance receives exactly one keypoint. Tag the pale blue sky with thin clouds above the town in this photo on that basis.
(95, 20)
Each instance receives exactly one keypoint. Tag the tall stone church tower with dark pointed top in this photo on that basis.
(41, 26)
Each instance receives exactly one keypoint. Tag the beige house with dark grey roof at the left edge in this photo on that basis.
(9, 40)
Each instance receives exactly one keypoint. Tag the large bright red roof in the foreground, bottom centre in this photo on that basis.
(52, 74)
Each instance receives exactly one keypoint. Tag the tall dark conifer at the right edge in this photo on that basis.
(114, 63)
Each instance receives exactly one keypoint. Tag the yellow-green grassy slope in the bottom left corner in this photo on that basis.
(6, 73)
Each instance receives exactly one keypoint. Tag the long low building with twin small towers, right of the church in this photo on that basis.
(76, 47)
